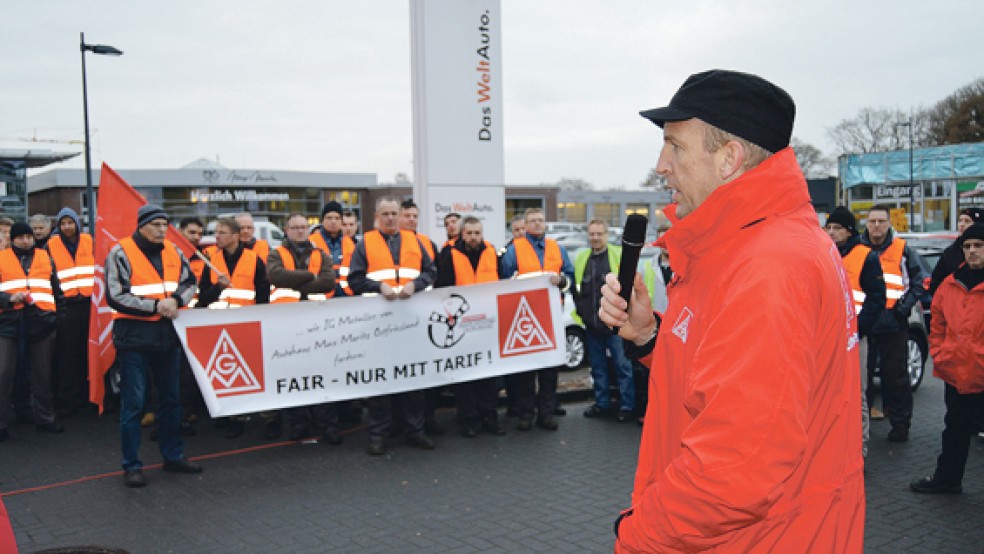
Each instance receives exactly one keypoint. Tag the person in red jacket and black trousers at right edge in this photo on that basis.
(956, 341)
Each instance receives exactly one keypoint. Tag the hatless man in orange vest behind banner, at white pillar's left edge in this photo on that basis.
(394, 264)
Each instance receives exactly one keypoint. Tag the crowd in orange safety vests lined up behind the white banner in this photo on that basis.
(47, 277)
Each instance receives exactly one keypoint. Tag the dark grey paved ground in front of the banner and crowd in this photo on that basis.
(525, 492)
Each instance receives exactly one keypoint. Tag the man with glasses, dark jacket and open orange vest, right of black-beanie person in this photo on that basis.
(903, 284)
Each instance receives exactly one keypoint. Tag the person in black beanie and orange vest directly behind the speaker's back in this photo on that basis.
(864, 274)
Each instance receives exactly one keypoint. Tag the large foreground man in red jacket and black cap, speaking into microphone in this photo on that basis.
(751, 441)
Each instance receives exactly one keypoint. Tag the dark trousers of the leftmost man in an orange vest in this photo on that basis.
(39, 353)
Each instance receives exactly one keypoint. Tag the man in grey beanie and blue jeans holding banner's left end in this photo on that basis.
(147, 281)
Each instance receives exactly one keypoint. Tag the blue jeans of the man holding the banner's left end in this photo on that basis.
(134, 370)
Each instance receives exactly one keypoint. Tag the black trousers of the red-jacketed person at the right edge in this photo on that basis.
(963, 413)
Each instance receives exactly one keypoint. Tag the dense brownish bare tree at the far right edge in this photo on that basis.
(959, 117)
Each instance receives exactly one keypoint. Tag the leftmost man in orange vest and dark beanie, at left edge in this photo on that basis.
(29, 292)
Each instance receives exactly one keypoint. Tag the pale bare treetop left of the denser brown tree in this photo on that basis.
(880, 130)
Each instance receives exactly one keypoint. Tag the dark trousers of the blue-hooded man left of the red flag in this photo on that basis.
(72, 343)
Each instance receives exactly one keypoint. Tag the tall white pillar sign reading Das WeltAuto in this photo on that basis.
(456, 60)
